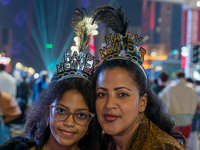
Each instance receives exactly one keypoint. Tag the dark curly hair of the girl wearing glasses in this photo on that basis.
(37, 116)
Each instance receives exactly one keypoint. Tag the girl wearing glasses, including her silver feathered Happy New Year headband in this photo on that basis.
(63, 116)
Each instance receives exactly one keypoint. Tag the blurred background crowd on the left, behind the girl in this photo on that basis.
(19, 89)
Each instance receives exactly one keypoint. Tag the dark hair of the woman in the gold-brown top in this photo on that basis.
(155, 109)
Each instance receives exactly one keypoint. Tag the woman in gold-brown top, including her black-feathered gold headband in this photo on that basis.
(131, 115)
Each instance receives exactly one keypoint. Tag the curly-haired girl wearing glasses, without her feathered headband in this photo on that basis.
(61, 117)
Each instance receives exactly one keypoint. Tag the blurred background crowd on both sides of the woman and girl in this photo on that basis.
(180, 96)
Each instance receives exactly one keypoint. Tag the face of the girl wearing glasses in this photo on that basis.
(67, 133)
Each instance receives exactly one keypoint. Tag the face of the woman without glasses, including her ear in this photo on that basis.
(118, 102)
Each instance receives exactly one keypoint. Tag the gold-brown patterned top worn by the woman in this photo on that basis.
(152, 137)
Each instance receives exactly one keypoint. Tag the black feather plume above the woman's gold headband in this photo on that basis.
(112, 17)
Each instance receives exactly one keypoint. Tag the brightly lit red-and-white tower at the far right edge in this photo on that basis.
(191, 37)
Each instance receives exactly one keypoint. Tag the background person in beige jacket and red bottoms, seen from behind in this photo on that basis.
(181, 101)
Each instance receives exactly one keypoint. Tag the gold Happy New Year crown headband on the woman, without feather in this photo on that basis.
(116, 48)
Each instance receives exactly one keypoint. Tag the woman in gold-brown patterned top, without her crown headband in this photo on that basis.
(122, 98)
